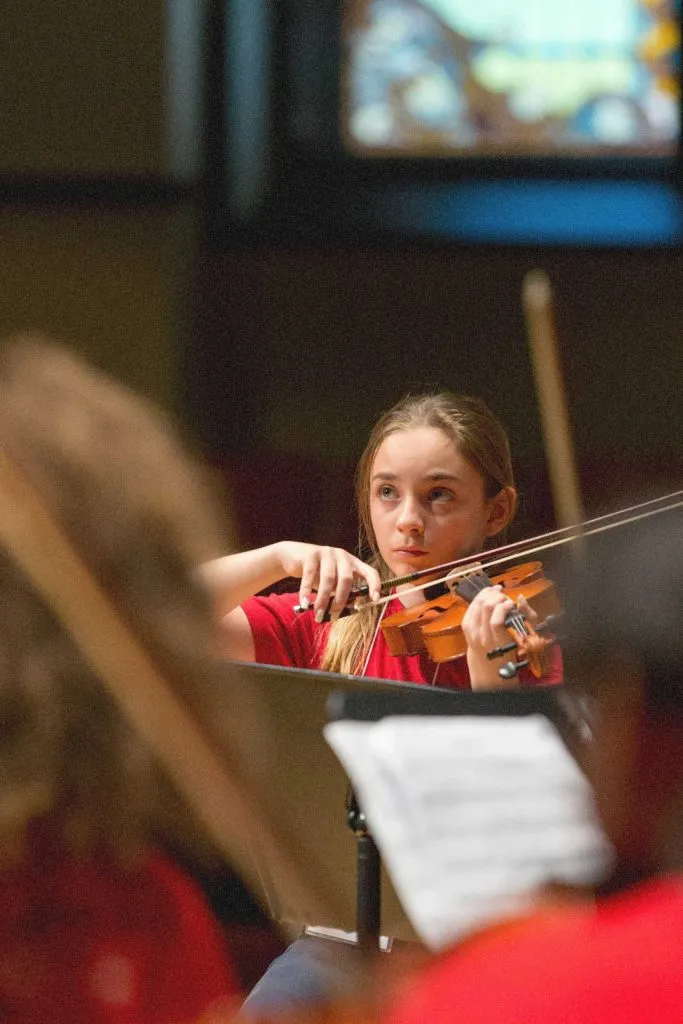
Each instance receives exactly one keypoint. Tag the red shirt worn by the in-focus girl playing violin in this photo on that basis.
(283, 637)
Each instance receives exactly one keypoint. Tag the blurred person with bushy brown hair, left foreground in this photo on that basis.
(99, 925)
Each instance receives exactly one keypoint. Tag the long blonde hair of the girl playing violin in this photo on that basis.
(480, 438)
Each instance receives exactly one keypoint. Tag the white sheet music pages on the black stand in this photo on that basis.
(472, 816)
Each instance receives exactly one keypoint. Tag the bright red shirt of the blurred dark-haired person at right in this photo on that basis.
(620, 964)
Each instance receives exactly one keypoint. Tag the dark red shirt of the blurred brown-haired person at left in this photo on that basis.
(86, 942)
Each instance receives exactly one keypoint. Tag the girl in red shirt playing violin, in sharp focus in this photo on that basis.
(434, 485)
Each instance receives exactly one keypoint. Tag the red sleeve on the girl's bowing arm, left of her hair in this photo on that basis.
(282, 636)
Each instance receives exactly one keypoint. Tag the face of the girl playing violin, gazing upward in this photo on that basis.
(428, 503)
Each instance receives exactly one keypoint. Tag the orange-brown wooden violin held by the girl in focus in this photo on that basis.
(436, 626)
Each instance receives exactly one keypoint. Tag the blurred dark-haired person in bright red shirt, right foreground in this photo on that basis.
(618, 960)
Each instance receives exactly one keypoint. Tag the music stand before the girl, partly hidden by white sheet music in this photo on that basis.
(273, 719)
